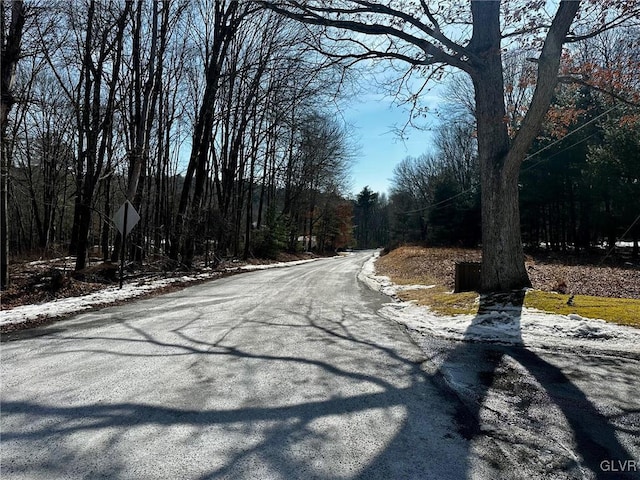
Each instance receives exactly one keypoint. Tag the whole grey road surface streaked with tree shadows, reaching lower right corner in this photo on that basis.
(301, 373)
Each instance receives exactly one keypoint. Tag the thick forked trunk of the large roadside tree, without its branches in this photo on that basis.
(500, 158)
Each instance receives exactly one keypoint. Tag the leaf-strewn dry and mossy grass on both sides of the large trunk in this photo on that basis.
(436, 266)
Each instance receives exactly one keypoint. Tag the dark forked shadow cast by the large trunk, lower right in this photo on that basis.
(595, 441)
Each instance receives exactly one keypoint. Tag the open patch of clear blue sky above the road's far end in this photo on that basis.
(372, 119)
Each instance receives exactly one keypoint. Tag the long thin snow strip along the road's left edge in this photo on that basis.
(65, 306)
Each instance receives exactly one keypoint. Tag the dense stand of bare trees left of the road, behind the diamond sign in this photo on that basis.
(211, 117)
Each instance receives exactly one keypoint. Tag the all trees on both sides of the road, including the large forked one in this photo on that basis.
(219, 120)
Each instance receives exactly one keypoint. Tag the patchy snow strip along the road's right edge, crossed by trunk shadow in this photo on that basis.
(506, 325)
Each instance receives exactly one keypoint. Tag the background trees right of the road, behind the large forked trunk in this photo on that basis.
(579, 188)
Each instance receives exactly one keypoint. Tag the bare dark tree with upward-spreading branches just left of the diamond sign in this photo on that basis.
(83, 44)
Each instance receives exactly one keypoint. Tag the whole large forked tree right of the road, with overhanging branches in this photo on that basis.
(429, 35)
